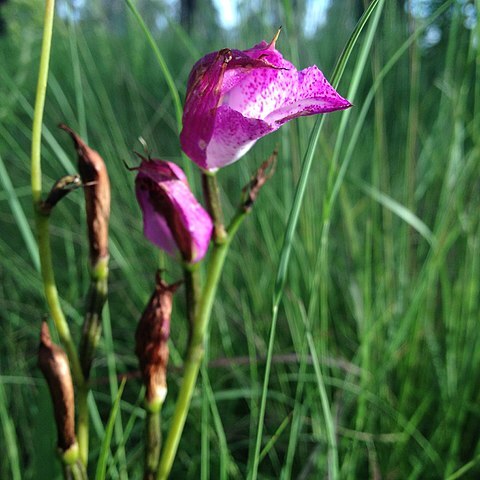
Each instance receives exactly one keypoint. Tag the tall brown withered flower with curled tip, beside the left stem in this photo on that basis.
(97, 195)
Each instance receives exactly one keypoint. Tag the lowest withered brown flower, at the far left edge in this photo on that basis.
(53, 363)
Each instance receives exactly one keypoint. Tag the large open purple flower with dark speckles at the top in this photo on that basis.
(236, 97)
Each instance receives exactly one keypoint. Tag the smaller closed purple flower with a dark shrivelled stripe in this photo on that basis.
(172, 217)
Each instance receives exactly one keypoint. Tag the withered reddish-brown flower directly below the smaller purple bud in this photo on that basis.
(151, 338)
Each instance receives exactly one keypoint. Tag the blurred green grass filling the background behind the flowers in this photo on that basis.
(383, 283)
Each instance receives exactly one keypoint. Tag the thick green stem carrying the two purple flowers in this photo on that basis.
(195, 348)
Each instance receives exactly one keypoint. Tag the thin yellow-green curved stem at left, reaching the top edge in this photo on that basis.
(41, 220)
